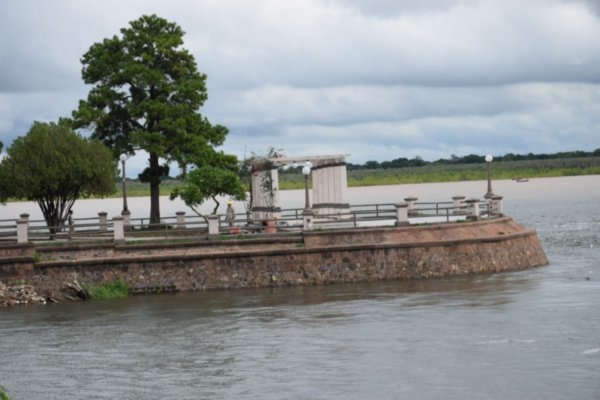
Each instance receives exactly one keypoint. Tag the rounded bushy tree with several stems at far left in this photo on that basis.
(54, 166)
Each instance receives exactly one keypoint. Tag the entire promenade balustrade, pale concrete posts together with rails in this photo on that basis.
(399, 214)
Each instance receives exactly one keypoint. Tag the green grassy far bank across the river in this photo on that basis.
(425, 174)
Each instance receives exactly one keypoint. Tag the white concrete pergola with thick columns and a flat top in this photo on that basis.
(329, 185)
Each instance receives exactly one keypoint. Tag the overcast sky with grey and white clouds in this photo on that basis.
(378, 79)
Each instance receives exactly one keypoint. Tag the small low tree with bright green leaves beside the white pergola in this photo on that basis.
(208, 182)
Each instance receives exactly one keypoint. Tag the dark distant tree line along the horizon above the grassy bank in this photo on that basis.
(403, 162)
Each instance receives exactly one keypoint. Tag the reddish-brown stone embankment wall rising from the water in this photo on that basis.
(310, 258)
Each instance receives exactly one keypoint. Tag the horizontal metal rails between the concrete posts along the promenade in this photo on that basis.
(288, 220)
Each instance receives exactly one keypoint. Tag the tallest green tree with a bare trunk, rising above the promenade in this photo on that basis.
(146, 96)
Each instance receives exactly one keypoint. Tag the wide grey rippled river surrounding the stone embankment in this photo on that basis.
(532, 334)
